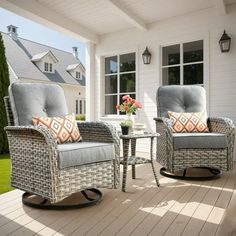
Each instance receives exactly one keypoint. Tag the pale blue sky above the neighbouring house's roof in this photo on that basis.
(28, 29)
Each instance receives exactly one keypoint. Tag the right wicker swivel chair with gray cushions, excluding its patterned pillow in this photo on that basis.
(177, 152)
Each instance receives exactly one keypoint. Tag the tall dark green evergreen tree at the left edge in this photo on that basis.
(4, 84)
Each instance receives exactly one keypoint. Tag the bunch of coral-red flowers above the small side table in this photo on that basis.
(129, 105)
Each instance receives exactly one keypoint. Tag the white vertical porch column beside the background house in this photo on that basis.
(90, 81)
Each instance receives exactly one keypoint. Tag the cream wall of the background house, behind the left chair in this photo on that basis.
(72, 93)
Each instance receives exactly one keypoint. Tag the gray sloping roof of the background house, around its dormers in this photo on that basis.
(20, 52)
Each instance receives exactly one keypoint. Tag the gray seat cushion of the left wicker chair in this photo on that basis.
(75, 154)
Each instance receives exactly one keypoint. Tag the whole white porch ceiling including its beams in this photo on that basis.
(89, 19)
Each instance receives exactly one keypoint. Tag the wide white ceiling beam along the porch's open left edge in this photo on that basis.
(32, 10)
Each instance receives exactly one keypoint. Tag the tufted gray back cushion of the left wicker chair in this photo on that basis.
(35, 99)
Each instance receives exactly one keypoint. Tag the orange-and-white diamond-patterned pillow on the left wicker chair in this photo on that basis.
(65, 129)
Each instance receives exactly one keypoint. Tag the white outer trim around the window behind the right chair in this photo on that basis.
(206, 70)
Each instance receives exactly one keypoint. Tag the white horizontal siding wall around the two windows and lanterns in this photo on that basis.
(220, 73)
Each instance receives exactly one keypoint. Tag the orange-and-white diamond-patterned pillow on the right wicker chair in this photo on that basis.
(188, 122)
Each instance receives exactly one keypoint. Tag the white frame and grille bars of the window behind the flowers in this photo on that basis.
(118, 73)
